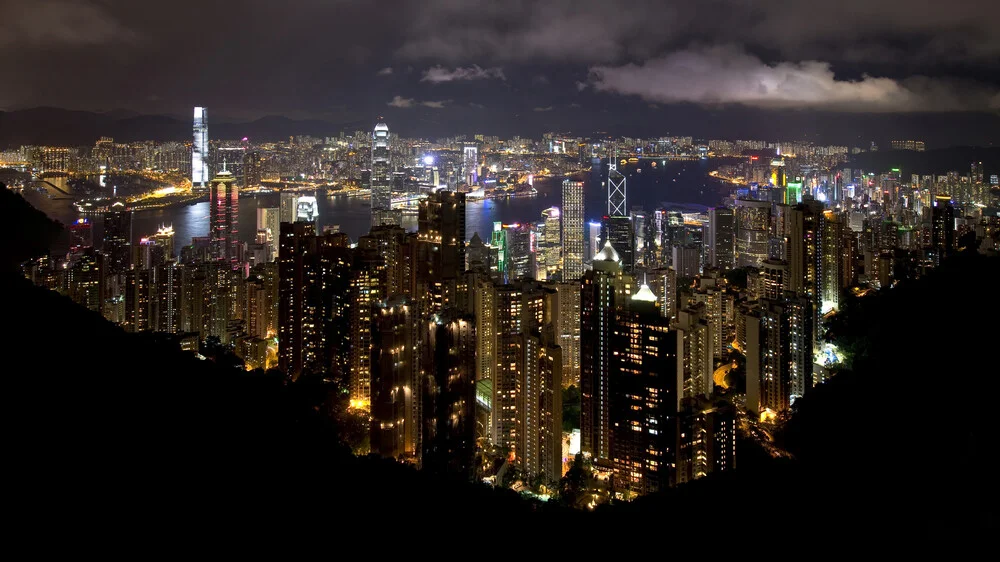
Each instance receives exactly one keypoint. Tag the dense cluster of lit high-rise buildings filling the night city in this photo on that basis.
(457, 351)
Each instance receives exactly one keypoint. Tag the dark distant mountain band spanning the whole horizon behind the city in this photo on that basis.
(64, 127)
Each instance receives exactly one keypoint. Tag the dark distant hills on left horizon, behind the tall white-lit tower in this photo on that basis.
(65, 127)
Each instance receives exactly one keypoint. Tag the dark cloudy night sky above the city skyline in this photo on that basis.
(458, 64)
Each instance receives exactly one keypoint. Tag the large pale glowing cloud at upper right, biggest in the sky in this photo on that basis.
(722, 75)
